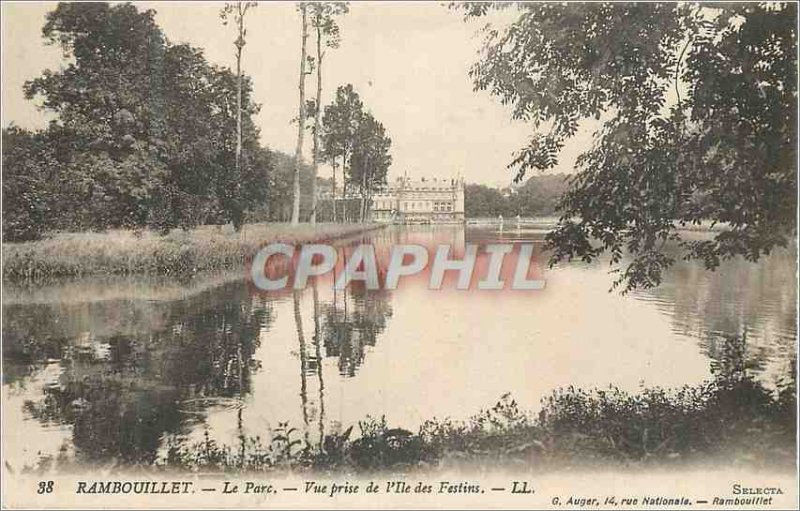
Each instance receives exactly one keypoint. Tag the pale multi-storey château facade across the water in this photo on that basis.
(423, 201)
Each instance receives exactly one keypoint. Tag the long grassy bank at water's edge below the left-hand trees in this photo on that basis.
(121, 252)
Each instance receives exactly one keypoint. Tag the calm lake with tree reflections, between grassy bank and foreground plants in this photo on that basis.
(116, 368)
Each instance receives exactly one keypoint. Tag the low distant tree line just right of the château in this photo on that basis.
(537, 197)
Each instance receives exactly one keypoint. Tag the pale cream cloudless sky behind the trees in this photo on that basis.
(409, 62)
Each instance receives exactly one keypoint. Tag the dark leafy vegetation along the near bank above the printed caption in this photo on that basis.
(731, 419)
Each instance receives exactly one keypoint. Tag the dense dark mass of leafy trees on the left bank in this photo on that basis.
(145, 133)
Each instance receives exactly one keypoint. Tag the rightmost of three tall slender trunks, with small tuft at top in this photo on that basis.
(324, 22)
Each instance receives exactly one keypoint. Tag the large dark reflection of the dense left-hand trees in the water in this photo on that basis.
(119, 391)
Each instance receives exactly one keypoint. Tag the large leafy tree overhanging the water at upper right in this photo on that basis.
(699, 113)
